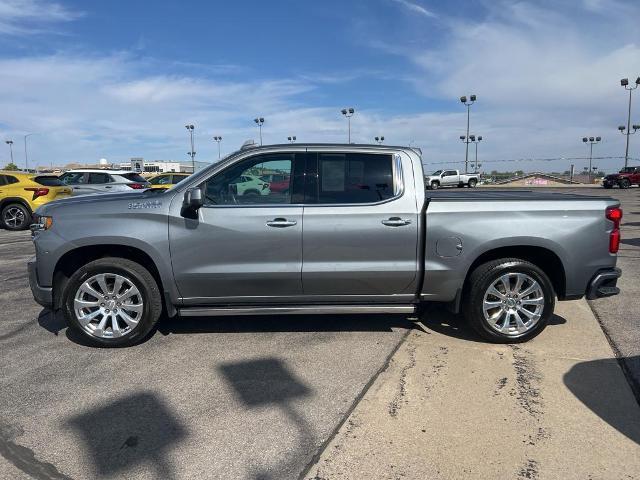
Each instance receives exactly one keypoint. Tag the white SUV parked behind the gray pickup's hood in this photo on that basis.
(88, 181)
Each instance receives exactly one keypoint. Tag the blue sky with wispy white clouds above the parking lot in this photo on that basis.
(120, 79)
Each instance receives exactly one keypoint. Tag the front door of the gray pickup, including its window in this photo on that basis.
(246, 244)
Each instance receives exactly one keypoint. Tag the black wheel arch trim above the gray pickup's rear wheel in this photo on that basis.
(543, 258)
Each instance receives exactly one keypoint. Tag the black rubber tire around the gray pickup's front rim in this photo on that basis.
(138, 276)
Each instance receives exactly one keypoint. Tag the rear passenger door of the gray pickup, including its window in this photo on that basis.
(360, 227)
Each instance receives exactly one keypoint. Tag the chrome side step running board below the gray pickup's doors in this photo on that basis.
(295, 310)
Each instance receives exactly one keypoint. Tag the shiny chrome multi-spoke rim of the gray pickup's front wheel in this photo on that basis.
(108, 305)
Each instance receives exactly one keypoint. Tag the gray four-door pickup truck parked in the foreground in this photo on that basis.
(353, 231)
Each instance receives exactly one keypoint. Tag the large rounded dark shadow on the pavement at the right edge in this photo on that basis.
(594, 385)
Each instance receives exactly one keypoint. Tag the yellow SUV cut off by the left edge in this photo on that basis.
(21, 193)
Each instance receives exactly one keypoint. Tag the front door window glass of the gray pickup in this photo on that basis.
(247, 183)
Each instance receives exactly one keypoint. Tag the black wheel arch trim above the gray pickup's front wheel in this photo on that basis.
(72, 260)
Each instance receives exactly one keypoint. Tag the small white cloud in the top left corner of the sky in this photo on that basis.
(21, 17)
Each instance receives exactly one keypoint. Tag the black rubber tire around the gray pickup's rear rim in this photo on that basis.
(483, 277)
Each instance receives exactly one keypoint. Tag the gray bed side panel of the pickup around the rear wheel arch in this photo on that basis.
(575, 230)
